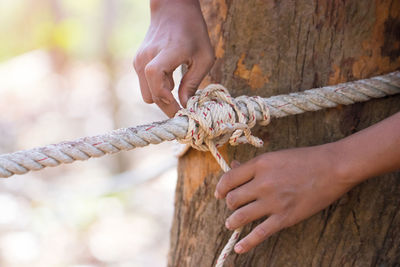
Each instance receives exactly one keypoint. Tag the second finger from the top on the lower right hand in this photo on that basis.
(241, 195)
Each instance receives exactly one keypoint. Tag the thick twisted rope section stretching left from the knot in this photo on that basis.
(95, 146)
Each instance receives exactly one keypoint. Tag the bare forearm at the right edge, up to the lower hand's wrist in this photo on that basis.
(370, 152)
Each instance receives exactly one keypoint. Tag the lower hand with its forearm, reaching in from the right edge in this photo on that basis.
(290, 185)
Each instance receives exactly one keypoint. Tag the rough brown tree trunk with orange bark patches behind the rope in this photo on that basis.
(273, 47)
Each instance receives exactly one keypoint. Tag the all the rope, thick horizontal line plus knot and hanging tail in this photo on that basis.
(211, 119)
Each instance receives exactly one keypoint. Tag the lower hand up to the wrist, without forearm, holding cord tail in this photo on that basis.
(288, 186)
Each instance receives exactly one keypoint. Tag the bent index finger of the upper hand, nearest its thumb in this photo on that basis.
(159, 79)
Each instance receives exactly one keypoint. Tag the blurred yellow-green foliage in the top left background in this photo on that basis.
(85, 29)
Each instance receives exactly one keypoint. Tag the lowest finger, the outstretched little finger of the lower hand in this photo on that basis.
(259, 234)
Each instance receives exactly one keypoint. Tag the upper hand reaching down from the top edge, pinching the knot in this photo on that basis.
(177, 35)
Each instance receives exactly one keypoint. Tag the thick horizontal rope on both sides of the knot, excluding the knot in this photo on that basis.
(176, 128)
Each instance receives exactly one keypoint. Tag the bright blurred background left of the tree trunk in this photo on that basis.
(66, 72)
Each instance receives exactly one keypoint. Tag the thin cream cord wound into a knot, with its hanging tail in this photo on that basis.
(214, 118)
